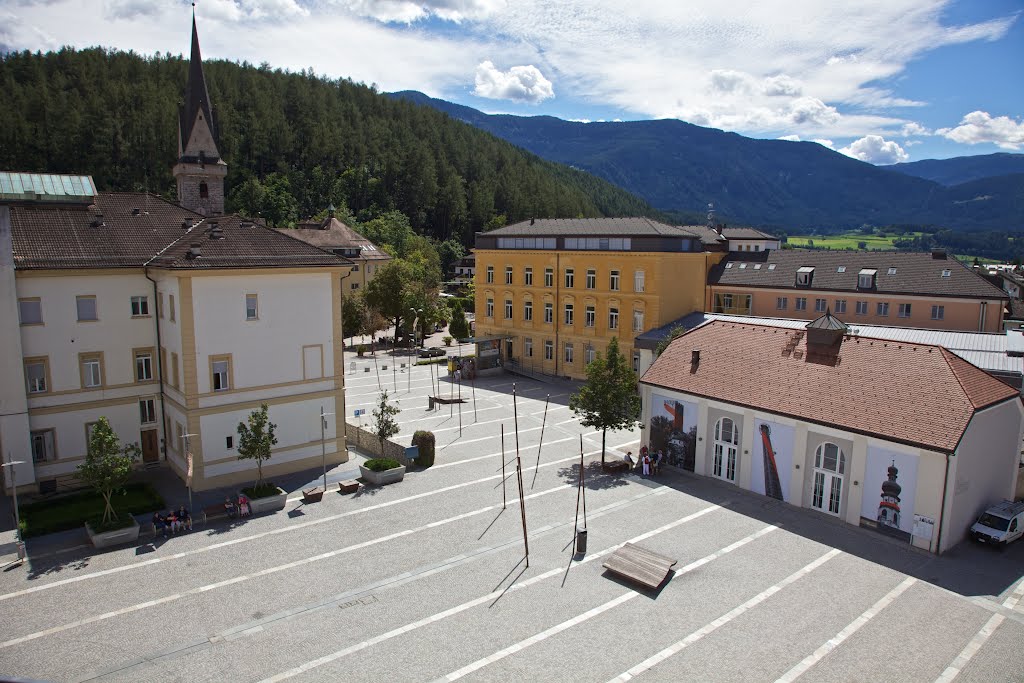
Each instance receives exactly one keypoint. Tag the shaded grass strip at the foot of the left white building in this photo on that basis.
(61, 515)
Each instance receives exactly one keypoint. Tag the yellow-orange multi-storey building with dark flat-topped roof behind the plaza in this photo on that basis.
(557, 291)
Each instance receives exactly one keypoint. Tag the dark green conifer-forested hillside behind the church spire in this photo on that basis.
(294, 143)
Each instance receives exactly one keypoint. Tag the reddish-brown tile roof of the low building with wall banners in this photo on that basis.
(918, 395)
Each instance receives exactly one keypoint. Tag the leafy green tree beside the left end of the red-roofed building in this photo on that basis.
(609, 400)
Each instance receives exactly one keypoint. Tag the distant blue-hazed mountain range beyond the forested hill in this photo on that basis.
(680, 168)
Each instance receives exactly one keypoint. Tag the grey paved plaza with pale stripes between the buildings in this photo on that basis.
(426, 580)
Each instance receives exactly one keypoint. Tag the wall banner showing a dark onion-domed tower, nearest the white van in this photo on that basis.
(890, 487)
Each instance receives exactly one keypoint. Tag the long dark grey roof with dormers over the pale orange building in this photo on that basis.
(916, 273)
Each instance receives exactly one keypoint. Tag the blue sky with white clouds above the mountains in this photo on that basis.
(884, 81)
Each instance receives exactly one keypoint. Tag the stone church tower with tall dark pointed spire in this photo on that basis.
(200, 172)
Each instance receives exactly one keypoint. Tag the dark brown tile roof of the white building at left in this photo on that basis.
(138, 229)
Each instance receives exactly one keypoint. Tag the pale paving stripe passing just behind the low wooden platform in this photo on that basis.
(484, 600)
